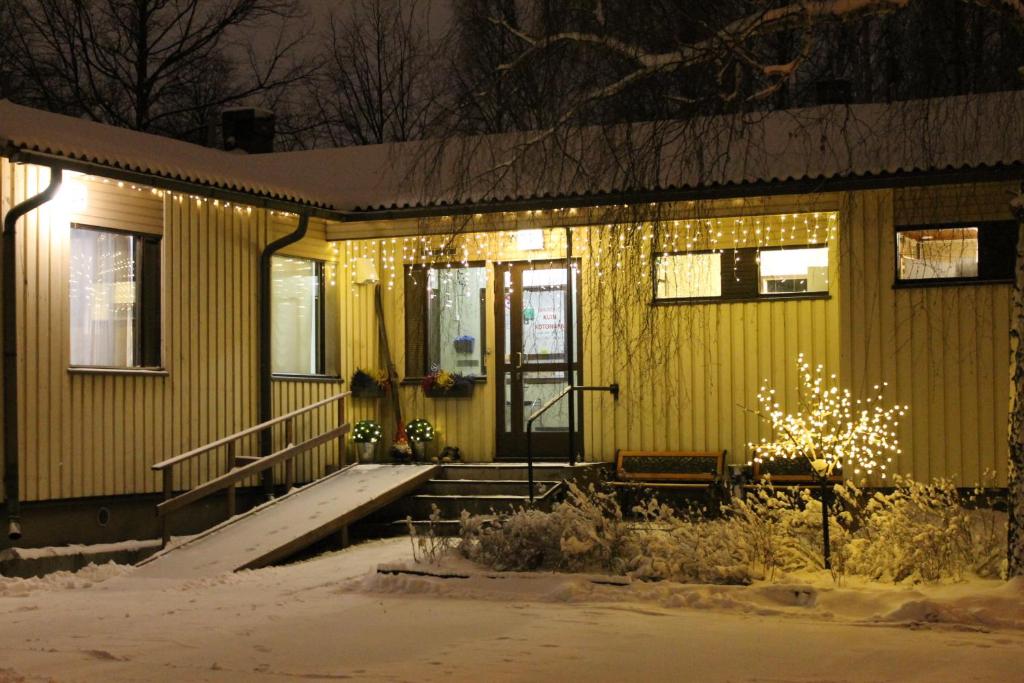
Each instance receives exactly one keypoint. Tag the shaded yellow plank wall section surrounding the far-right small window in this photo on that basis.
(945, 351)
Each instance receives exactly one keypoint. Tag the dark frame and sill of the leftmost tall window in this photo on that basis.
(149, 324)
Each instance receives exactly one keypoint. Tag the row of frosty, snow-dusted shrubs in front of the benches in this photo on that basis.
(918, 533)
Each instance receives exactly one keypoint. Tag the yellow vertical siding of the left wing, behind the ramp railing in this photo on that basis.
(98, 435)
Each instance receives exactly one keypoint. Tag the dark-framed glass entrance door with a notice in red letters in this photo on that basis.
(531, 357)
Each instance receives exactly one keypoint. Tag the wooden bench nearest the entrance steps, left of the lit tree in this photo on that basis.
(678, 471)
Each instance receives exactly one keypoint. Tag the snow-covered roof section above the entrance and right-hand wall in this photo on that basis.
(805, 145)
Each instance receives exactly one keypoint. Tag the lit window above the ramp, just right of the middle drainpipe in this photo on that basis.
(305, 318)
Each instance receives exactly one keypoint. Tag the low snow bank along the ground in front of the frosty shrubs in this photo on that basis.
(977, 605)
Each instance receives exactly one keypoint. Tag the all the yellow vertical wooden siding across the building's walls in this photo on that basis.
(945, 351)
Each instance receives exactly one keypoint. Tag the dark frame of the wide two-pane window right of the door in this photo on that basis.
(749, 291)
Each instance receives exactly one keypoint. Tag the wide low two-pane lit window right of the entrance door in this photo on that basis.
(743, 275)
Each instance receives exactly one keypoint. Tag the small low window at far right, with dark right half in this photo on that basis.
(950, 254)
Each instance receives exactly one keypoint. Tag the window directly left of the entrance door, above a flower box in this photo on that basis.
(445, 327)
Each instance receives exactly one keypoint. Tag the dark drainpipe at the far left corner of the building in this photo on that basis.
(9, 288)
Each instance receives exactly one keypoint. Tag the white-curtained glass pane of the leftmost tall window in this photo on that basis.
(103, 287)
